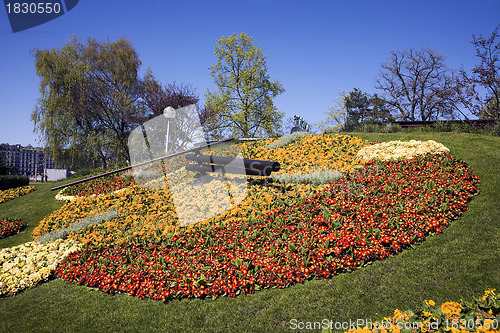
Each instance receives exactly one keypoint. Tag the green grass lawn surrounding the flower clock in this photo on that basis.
(458, 264)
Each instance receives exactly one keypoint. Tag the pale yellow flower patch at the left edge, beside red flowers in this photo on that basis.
(26, 265)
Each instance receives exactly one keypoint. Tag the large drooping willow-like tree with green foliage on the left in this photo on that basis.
(89, 101)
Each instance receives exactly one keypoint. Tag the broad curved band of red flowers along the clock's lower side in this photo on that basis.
(369, 215)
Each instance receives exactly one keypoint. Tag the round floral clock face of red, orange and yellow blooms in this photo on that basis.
(277, 235)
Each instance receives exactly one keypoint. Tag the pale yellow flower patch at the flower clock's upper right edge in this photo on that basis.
(394, 150)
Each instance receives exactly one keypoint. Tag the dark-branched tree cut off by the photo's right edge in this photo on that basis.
(485, 77)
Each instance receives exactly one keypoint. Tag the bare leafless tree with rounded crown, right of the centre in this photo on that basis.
(417, 85)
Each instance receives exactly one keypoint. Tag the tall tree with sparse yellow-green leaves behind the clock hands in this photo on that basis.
(242, 105)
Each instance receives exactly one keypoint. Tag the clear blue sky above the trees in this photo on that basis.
(315, 48)
